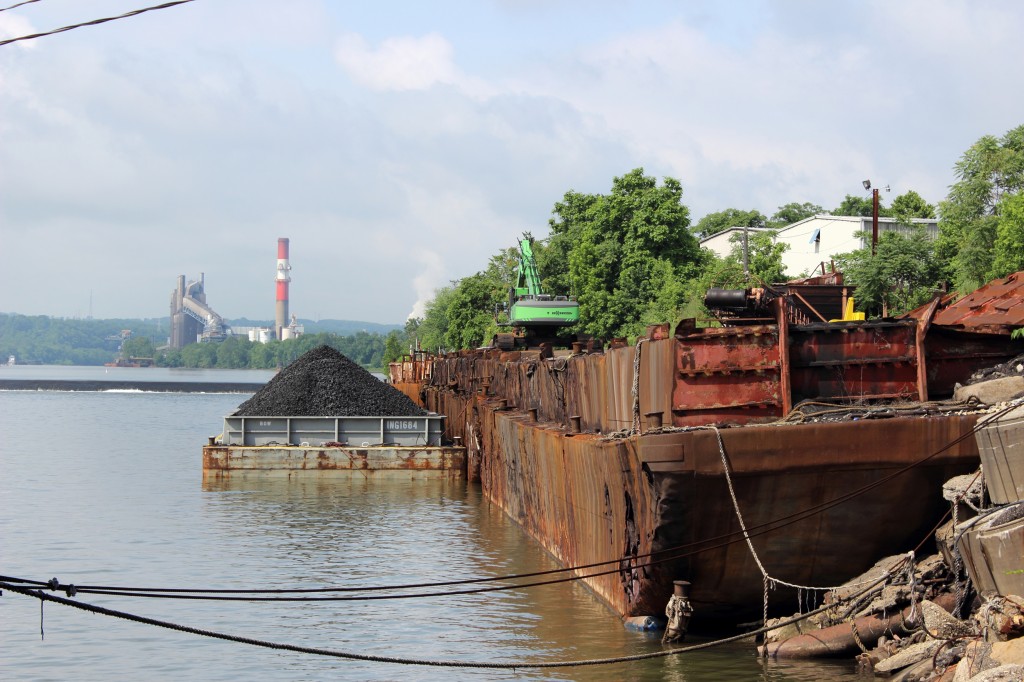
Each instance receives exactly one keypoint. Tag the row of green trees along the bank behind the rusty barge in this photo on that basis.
(632, 257)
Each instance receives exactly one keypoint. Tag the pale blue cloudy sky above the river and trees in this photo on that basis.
(401, 145)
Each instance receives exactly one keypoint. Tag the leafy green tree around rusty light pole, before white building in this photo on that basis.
(902, 276)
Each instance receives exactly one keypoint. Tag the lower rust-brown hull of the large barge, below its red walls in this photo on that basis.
(588, 501)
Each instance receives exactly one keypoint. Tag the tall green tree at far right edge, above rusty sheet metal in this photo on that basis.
(989, 173)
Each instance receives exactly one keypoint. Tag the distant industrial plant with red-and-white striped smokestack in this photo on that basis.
(193, 321)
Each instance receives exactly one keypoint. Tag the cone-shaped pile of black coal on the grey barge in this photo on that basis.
(325, 383)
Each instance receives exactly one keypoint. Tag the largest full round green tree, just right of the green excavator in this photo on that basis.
(623, 252)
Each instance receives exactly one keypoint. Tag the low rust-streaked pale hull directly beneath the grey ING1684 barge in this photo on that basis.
(383, 461)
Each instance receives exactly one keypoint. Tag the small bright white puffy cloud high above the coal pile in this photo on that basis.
(400, 64)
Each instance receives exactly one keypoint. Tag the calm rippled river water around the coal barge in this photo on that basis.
(107, 489)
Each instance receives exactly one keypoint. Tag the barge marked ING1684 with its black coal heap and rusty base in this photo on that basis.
(325, 415)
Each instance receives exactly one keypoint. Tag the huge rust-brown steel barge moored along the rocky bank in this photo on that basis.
(619, 460)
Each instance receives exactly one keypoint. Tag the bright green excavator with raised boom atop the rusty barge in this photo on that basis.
(537, 317)
